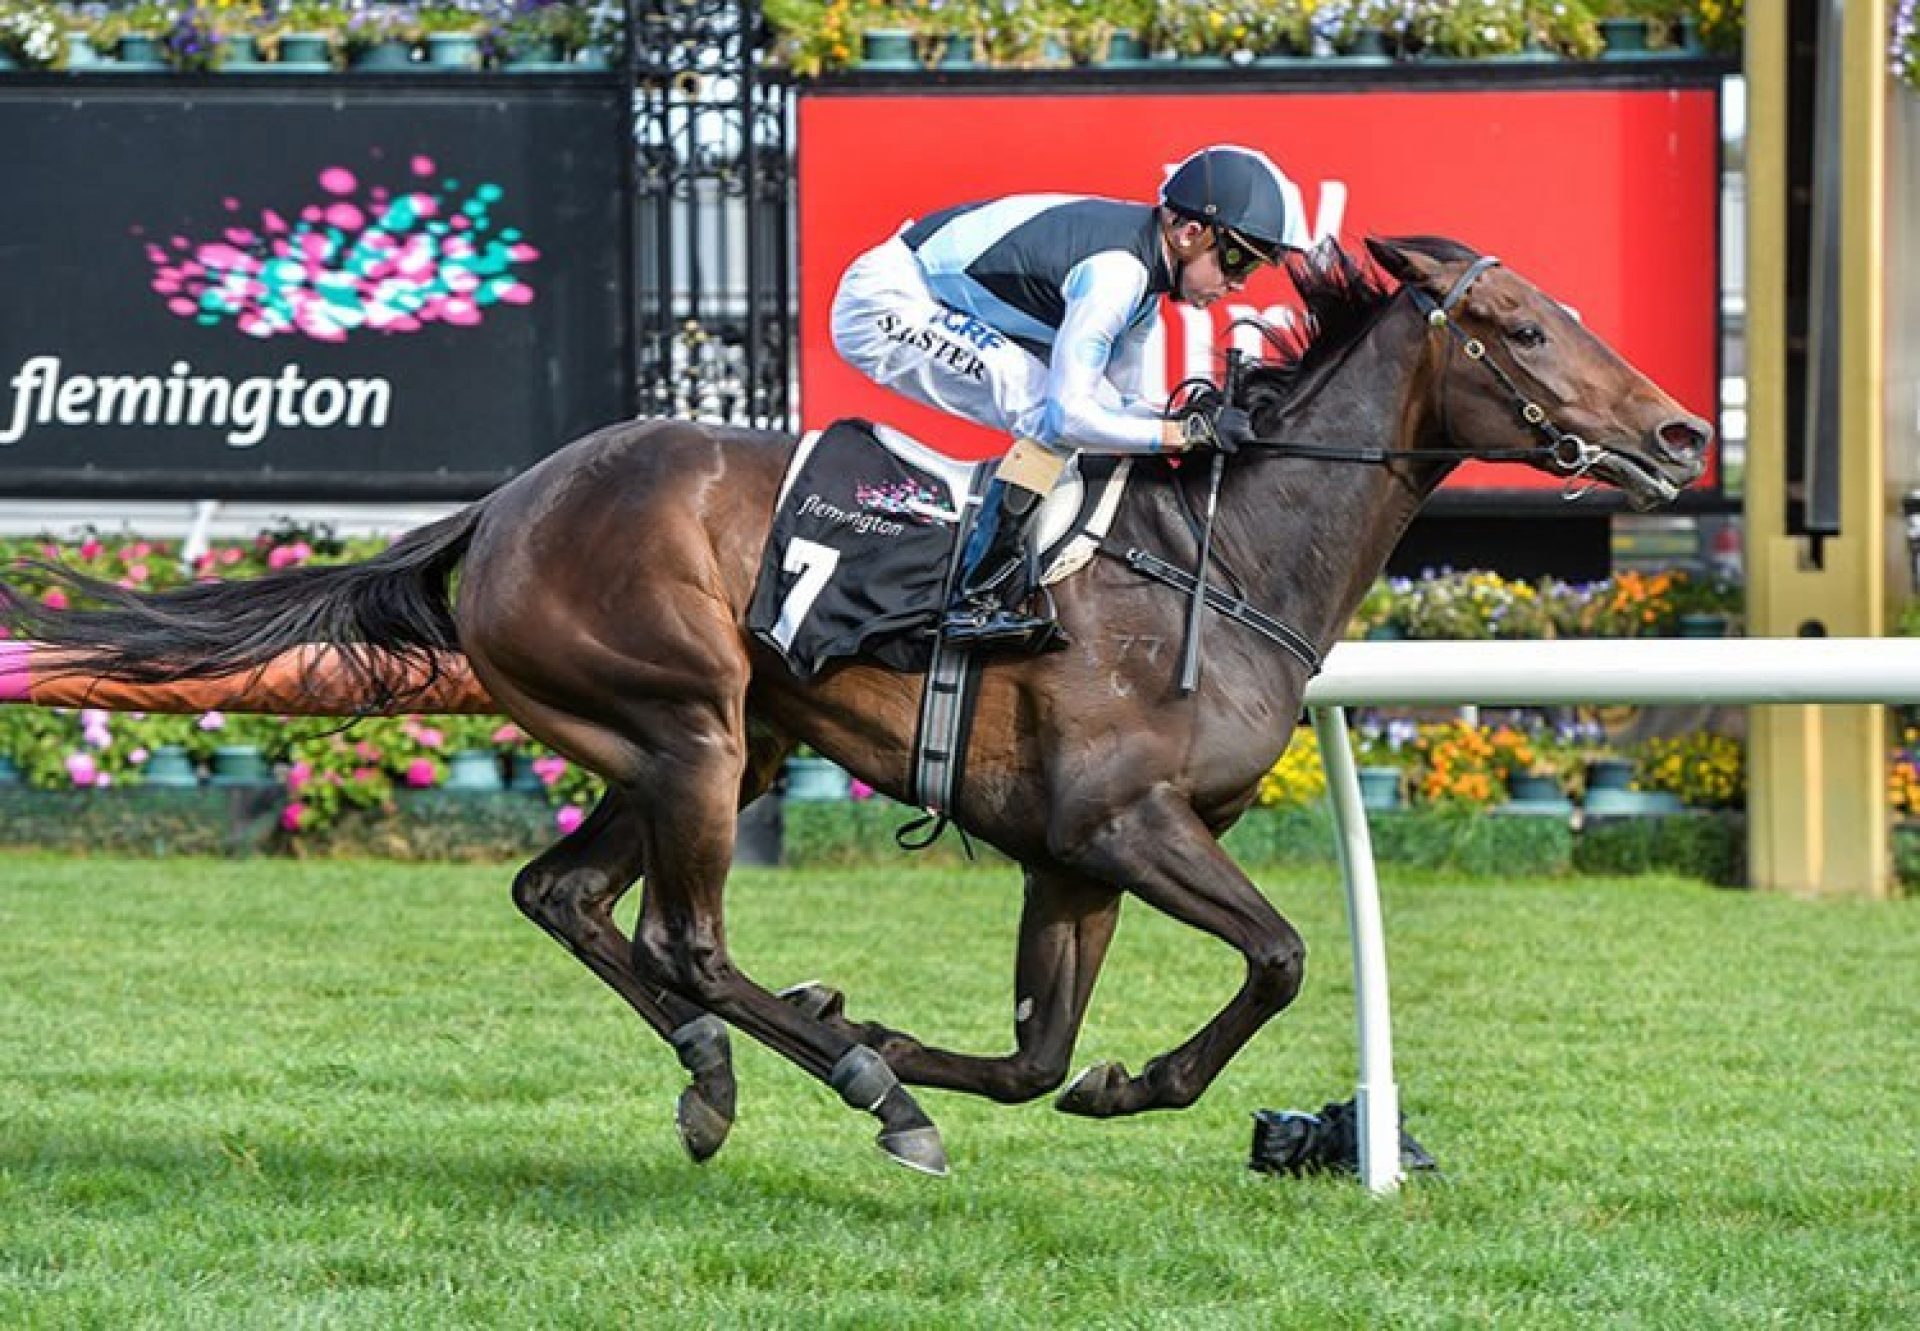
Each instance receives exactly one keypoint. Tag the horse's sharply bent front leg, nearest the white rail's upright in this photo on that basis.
(1170, 859)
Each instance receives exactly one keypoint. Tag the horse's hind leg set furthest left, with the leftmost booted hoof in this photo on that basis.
(571, 892)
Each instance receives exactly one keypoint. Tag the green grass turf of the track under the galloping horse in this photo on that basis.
(362, 1096)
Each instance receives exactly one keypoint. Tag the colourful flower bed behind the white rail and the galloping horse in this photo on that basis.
(329, 777)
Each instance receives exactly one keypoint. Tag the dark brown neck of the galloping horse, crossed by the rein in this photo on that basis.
(1314, 535)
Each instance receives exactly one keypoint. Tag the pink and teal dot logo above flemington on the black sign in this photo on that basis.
(358, 260)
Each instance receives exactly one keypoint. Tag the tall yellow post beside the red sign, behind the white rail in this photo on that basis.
(1817, 777)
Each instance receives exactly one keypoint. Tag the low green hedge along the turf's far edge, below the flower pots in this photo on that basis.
(825, 835)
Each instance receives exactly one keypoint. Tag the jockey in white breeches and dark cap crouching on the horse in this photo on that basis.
(1030, 314)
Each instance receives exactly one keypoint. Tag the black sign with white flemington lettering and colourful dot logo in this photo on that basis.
(306, 293)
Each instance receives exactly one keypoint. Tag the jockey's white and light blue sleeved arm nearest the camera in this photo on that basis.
(1086, 406)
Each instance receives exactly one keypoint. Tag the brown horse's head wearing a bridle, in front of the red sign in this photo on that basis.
(1522, 374)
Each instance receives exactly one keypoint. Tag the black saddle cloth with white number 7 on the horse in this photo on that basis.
(865, 539)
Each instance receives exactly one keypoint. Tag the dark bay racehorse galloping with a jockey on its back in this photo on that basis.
(602, 598)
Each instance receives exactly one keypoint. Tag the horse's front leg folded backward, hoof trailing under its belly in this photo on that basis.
(1067, 927)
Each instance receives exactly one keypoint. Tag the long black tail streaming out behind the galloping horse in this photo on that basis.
(389, 619)
